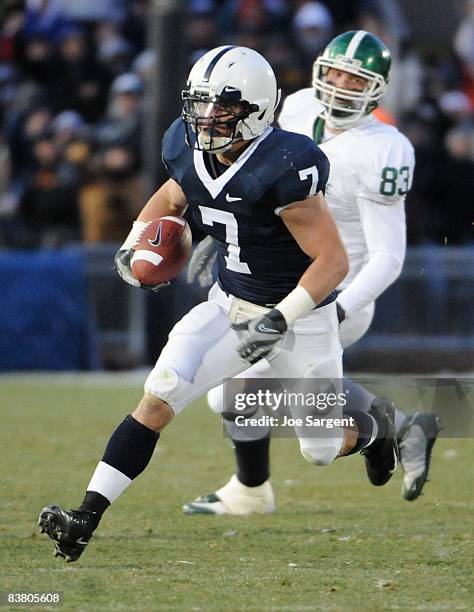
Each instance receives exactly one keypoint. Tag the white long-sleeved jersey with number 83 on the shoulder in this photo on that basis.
(371, 171)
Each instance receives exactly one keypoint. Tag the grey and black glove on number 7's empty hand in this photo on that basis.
(260, 336)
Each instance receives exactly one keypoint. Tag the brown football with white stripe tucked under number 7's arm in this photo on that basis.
(161, 251)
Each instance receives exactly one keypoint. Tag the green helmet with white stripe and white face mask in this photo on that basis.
(359, 53)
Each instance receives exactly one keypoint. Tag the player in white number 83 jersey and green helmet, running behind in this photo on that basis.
(371, 172)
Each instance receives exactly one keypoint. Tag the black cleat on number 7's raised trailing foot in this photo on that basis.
(381, 457)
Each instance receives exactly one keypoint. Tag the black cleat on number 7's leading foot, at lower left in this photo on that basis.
(71, 530)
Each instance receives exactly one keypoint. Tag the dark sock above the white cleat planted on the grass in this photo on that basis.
(253, 461)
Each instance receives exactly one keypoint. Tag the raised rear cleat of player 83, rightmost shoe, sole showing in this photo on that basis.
(416, 439)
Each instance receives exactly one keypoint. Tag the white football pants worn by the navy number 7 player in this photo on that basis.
(201, 353)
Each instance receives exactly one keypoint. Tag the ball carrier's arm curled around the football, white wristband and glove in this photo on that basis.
(168, 200)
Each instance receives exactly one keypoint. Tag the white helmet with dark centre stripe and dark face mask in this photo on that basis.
(231, 94)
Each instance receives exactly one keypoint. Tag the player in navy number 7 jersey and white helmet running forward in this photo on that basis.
(259, 192)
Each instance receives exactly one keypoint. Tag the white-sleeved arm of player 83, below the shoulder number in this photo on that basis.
(385, 235)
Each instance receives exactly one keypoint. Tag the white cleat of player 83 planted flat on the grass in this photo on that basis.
(234, 498)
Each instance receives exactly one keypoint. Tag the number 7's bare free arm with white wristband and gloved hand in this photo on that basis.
(312, 226)
